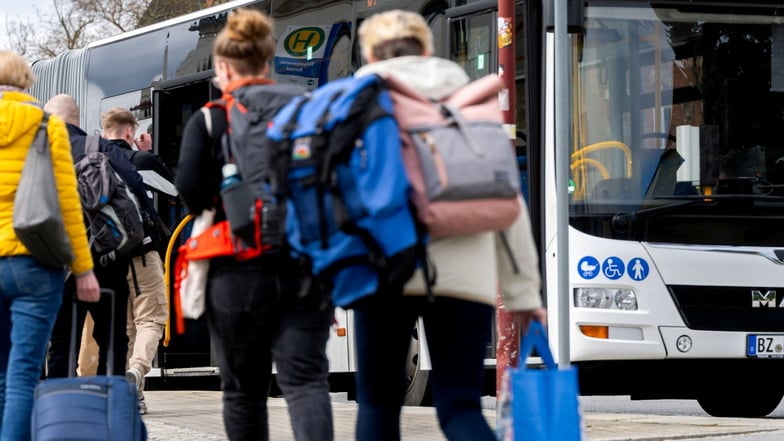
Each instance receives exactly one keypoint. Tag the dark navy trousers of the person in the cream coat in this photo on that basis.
(457, 332)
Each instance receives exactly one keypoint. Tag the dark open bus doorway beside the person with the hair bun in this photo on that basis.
(174, 102)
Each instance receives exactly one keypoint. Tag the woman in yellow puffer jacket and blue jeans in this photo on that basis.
(30, 293)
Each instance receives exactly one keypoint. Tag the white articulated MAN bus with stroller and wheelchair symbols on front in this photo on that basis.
(675, 183)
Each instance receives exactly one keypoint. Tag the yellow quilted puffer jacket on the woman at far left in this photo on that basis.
(18, 124)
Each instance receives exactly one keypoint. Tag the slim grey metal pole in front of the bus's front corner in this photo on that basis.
(562, 157)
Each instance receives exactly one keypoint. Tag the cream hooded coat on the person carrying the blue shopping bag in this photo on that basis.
(470, 267)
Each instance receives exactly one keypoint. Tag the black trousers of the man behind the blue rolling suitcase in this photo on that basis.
(112, 275)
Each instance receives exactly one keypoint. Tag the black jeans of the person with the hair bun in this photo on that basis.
(256, 316)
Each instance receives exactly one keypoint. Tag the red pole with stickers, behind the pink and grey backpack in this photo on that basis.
(508, 331)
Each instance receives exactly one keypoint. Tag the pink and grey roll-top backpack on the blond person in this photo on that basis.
(458, 157)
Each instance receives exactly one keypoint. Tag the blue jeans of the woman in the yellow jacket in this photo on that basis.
(29, 299)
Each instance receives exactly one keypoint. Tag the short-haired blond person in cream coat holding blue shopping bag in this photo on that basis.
(470, 269)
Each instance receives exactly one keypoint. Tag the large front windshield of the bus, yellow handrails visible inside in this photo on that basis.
(678, 123)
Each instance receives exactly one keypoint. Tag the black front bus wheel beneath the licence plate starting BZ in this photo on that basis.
(749, 403)
